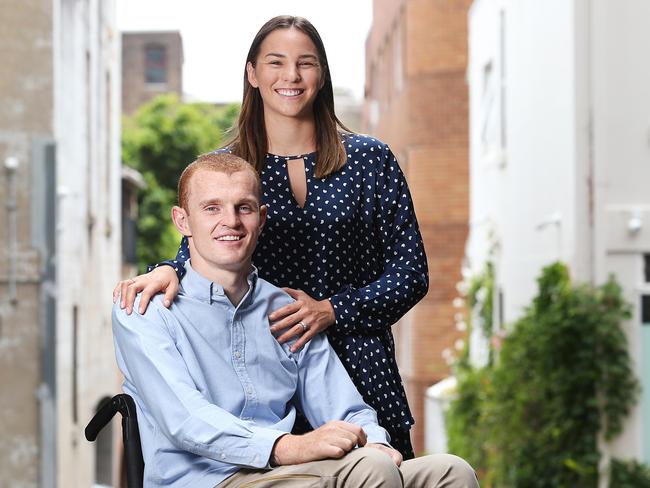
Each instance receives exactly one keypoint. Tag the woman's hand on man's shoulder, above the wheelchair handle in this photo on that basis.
(160, 279)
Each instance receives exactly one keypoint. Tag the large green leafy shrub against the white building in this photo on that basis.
(562, 376)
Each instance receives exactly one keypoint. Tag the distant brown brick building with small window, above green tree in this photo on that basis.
(152, 64)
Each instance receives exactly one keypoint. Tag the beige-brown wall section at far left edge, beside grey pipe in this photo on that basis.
(26, 88)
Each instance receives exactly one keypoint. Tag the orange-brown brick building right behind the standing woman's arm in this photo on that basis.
(416, 101)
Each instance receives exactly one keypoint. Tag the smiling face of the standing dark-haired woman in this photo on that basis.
(287, 73)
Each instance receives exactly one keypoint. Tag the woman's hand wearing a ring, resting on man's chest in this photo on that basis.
(305, 317)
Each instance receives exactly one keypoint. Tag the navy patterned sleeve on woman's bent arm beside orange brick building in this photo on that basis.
(405, 278)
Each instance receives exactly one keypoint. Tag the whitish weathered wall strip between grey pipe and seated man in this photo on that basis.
(87, 111)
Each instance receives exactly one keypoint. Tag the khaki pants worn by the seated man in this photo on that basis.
(362, 468)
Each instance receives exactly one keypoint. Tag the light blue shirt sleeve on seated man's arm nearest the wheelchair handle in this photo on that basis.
(150, 361)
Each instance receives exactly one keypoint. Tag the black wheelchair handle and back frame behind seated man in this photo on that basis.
(133, 461)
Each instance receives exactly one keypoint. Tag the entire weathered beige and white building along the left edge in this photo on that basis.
(60, 244)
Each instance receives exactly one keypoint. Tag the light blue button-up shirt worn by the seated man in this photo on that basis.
(213, 387)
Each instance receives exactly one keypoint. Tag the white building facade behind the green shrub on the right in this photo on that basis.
(560, 158)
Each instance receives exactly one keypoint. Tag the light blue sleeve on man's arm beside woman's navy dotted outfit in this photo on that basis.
(325, 391)
